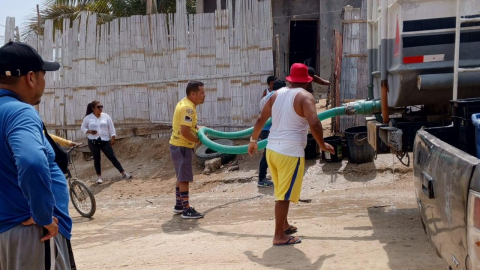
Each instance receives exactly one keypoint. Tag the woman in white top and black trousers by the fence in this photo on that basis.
(101, 137)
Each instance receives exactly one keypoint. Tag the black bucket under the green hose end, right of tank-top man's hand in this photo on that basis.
(359, 149)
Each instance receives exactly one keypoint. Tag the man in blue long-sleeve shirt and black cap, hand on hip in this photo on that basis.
(35, 227)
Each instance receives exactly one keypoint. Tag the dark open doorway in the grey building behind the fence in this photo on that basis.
(304, 42)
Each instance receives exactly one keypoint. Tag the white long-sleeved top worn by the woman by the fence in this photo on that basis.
(103, 126)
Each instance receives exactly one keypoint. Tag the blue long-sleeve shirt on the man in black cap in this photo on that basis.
(31, 183)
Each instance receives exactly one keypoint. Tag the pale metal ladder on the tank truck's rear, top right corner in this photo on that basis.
(456, 63)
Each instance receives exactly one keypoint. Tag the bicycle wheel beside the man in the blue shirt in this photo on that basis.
(83, 199)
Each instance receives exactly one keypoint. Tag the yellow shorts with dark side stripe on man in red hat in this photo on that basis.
(287, 175)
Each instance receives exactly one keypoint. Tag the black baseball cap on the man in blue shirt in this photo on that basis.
(17, 59)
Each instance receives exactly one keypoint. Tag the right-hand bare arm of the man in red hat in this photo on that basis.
(310, 113)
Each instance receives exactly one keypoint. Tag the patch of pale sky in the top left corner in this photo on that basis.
(20, 9)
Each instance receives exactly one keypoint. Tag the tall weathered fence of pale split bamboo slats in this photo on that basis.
(139, 66)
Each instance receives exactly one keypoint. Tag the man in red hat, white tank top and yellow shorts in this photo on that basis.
(292, 110)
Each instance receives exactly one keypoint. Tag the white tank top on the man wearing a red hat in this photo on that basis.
(288, 134)
